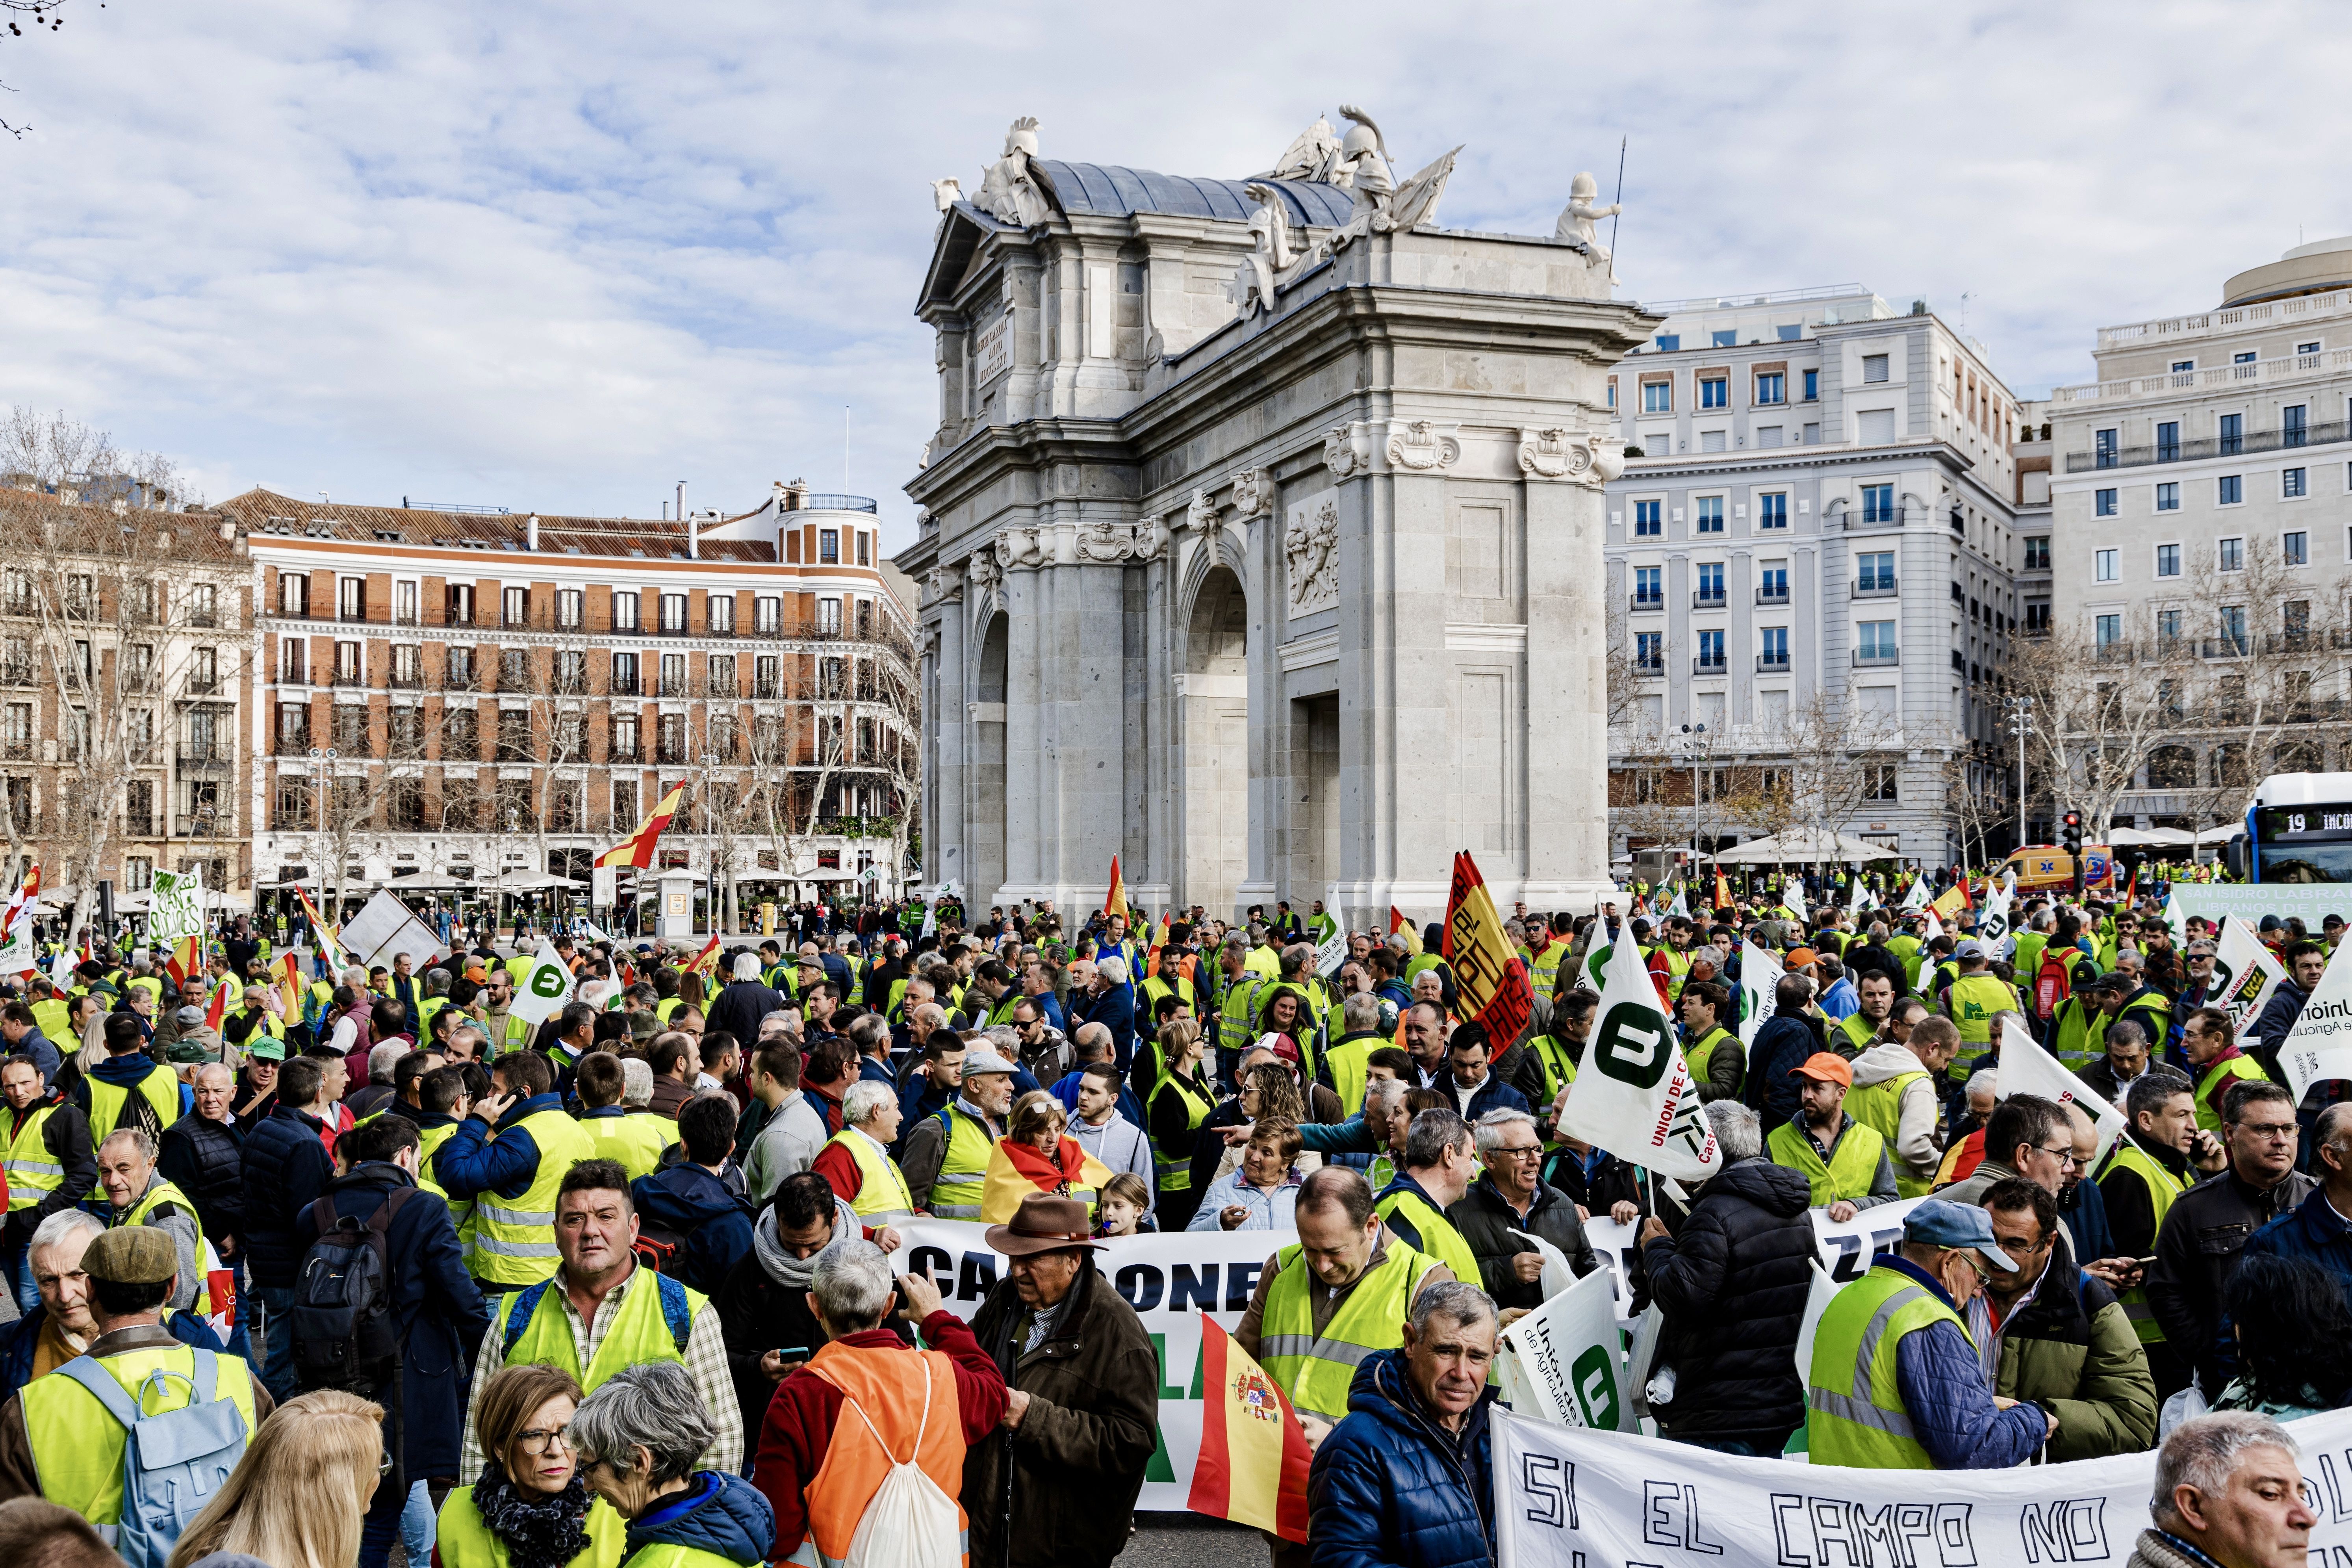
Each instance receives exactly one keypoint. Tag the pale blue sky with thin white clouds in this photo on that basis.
(561, 257)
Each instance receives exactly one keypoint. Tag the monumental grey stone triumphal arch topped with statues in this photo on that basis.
(1262, 540)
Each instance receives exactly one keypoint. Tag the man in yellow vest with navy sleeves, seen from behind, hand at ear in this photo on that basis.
(509, 1155)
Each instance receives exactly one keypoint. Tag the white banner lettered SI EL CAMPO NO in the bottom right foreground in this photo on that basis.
(1575, 1499)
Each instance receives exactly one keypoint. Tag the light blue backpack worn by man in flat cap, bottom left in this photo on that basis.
(173, 1463)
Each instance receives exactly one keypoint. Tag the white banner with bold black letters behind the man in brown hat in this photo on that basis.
(1168, 1280)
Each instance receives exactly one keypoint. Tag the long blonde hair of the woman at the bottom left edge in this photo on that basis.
(300, 1494)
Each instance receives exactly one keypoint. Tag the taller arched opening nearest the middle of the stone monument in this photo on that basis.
(1217, 744)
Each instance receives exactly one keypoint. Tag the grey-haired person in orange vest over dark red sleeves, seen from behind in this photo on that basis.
(853, 1296)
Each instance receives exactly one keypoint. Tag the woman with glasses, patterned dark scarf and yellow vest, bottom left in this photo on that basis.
(530, 1508)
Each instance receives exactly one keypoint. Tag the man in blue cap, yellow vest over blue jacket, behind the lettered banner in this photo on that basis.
(1897, 1381)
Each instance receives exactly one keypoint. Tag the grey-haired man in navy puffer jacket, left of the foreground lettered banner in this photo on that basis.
(1370, 1496)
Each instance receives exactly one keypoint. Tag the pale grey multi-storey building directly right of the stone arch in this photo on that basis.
(1812, 563)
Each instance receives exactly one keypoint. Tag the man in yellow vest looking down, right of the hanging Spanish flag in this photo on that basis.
(1332, 1299)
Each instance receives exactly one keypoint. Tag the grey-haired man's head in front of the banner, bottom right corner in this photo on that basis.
(2229, 1496)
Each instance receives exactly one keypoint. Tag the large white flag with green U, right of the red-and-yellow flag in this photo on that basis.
(1636, 1094)
